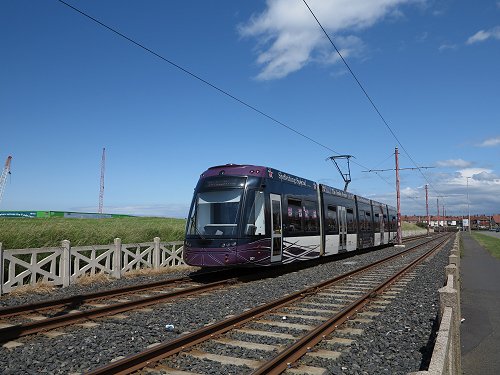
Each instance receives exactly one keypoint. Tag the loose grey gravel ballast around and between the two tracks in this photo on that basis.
(397, 342)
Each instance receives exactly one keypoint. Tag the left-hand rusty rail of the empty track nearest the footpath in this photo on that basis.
(138, 361)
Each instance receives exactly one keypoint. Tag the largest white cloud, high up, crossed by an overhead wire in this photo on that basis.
(289, 38)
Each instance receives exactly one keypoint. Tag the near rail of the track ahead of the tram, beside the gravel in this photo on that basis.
(19, 330)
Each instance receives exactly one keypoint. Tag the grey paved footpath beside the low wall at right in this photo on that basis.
(480, 307)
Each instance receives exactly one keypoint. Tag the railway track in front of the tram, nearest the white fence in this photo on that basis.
(23, 320)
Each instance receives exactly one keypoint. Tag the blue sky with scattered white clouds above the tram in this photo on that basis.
(69, 87)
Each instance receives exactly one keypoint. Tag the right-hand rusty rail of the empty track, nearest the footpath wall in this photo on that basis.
(294, 352)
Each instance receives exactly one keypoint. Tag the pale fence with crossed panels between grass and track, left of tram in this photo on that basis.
(62, 265)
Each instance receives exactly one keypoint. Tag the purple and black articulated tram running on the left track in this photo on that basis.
(248, 215)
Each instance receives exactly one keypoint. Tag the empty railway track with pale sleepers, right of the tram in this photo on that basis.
(302, 319)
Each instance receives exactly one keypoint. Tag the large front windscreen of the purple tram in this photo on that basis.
(216, 213)
